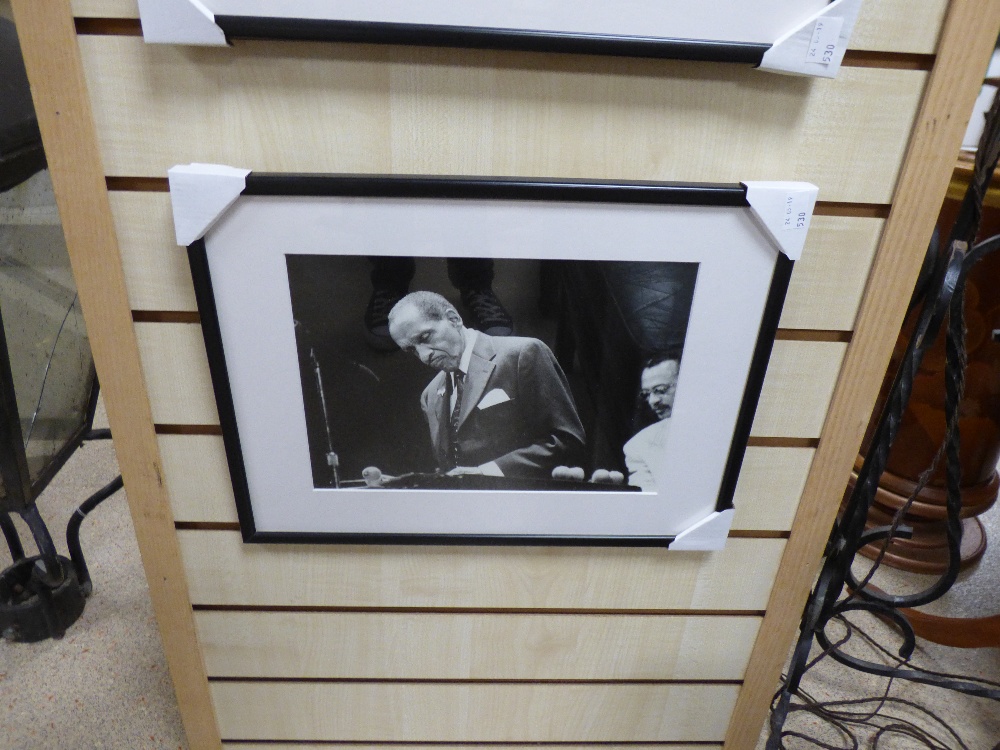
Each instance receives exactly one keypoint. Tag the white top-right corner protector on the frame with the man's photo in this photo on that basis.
(784, 210)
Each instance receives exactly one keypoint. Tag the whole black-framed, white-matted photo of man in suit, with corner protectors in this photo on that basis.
(486, 360)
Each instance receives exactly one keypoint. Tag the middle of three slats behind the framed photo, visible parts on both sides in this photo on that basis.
(793, 402)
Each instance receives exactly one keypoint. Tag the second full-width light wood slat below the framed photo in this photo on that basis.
(479, 647)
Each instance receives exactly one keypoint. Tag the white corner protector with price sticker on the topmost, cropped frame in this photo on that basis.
(817, 47)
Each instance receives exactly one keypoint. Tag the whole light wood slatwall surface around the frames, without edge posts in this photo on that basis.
(504, 646)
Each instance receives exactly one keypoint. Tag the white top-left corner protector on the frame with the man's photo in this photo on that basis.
(200, 194)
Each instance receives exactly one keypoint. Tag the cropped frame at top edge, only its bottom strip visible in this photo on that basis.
(805, 37)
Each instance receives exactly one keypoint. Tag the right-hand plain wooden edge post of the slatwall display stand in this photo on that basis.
(968, 38)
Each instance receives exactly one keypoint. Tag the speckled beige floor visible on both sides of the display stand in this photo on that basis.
(105, 685)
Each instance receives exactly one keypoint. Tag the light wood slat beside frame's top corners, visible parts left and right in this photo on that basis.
(824, 293)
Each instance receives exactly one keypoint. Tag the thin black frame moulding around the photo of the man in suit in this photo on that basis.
(402, 190)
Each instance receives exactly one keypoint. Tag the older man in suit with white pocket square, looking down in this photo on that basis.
(498, 406)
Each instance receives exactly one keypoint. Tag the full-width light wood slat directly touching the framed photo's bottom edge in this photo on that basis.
(225, 571)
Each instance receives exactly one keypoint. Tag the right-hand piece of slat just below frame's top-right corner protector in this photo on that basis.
(829, 279)
